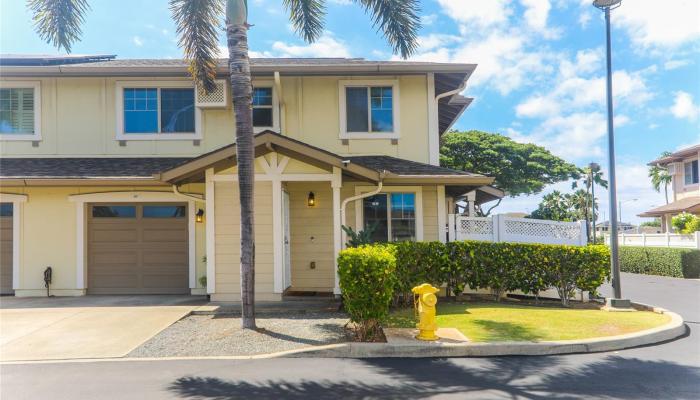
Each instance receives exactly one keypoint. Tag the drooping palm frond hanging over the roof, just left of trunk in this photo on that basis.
(198, 23)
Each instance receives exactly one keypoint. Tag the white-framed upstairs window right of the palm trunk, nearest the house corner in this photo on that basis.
(369, 110)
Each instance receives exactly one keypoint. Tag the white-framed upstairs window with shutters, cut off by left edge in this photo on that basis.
(19, 111)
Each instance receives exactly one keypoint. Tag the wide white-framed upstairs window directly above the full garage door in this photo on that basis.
(152, 112)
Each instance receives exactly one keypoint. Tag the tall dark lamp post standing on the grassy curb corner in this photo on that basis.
(616, 301)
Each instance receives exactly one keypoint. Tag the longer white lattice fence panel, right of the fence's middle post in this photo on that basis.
(539, 231)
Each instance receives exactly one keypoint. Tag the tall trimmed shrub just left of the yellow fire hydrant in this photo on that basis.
(367, 280)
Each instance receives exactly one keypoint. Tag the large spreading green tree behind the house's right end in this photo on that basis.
(518, 168)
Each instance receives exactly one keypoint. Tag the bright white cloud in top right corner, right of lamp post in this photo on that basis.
(653, 24)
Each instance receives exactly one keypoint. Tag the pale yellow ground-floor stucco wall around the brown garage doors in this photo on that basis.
(48, 236)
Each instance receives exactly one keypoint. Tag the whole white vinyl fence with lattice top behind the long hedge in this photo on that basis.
(501, 228)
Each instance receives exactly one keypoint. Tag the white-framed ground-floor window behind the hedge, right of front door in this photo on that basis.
(392, 215)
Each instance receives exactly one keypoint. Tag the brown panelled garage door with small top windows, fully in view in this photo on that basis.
(137, 249)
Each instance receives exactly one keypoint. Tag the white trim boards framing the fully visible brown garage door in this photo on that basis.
(81, 200)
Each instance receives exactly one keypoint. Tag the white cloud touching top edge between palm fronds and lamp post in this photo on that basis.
(477, 13)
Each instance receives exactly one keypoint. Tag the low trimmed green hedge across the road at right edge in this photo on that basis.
(678, 263)
